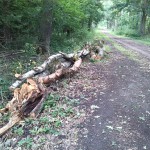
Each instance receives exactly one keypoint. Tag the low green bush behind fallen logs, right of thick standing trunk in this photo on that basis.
(60, 42)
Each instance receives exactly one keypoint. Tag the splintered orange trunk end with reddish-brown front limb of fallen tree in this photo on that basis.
(28, 100)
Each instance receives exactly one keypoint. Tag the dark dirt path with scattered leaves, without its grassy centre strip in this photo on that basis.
(120, 108)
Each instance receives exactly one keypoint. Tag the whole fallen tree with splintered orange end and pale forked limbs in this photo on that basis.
(28, 99)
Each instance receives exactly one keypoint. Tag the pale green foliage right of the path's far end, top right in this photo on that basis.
(128, 17)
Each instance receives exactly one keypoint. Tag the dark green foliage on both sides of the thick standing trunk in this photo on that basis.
(20, 22)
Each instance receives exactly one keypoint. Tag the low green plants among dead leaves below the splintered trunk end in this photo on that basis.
(55, 111)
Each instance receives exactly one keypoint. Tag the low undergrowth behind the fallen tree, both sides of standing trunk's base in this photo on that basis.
(25, 61)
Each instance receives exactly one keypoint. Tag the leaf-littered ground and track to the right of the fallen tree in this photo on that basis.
(113, 104)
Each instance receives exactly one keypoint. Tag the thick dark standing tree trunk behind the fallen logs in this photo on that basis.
(45, 27)
